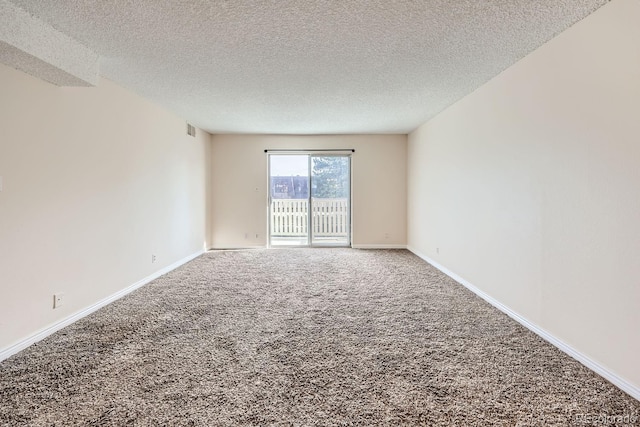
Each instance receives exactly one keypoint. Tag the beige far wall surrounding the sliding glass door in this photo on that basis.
(240, 186)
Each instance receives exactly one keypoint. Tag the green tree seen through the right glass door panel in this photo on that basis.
(330, 177)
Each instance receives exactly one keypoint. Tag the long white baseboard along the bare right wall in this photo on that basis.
(619, 382)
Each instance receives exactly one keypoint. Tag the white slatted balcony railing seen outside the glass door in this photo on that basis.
(329, 217)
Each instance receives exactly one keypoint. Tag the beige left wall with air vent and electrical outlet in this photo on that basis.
(95, 181)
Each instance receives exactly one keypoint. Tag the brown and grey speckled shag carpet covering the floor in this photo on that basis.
(301, 337)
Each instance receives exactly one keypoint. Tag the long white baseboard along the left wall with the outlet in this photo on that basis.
(43, 333)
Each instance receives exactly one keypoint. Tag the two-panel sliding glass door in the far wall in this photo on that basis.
(309, 200)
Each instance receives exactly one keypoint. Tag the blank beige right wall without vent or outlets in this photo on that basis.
(530, 188)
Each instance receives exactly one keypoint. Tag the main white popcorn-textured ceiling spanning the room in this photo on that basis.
(307, 67)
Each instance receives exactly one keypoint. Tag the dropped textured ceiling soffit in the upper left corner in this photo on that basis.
(30, 45)
